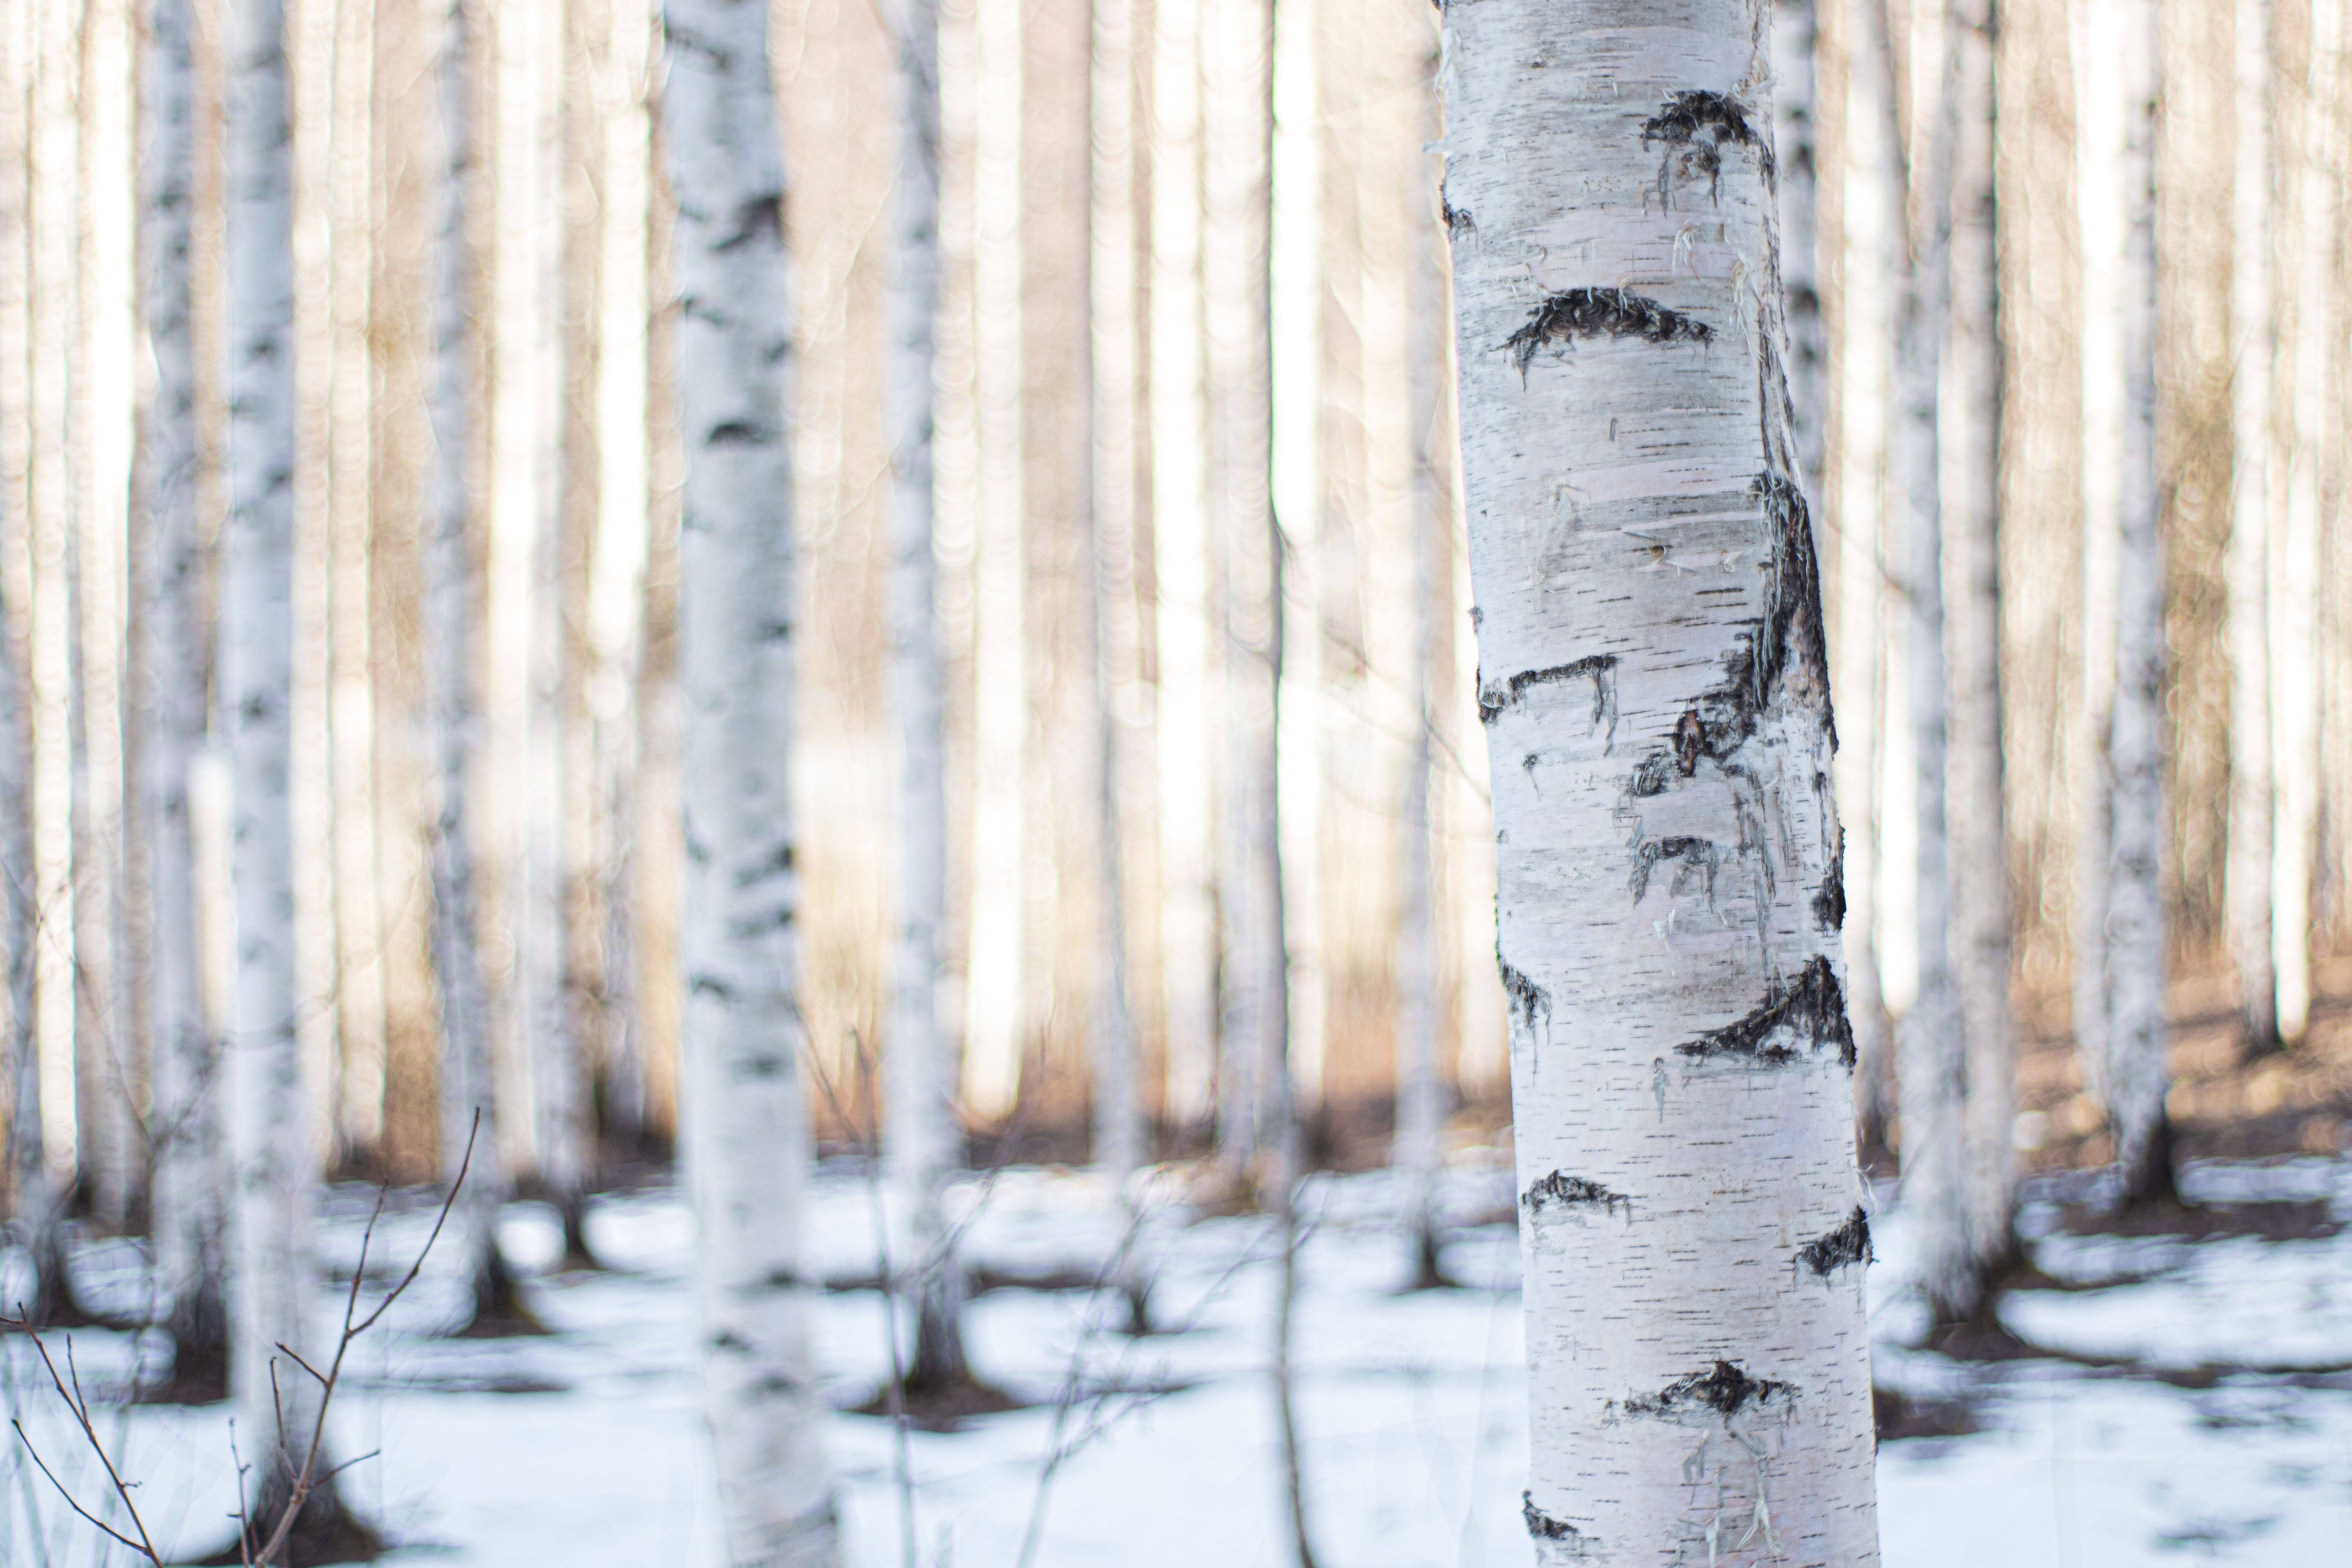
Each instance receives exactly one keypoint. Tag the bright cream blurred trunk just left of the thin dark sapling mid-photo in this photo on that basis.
(1255, 972)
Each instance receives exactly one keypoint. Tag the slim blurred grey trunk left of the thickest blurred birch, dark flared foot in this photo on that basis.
(455, 650)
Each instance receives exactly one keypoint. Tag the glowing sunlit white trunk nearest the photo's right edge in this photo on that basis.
(2297, 570)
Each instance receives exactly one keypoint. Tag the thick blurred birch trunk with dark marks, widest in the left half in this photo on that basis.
(744, 1120)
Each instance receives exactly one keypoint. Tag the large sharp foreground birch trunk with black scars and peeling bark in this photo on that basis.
(1659, 728)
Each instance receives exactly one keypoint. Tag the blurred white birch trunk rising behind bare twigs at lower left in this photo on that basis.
(272, 1132)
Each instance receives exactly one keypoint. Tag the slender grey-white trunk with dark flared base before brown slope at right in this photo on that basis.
(2139, 1031)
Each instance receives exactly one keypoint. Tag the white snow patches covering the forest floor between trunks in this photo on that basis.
(584, 1449)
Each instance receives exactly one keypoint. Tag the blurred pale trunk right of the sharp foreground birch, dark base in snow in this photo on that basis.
(1930, 1050)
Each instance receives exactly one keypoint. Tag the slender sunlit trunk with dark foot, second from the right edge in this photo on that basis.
(2247, 565)
